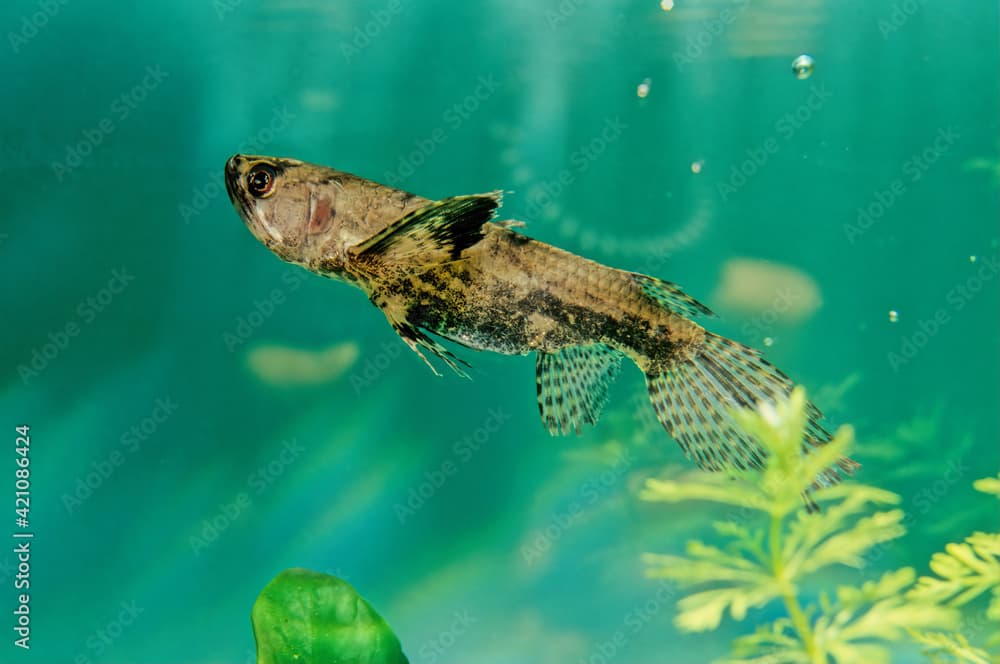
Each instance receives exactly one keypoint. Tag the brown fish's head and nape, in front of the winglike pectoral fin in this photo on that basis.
(308, 214)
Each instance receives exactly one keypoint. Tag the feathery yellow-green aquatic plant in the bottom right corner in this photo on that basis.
(773, 548)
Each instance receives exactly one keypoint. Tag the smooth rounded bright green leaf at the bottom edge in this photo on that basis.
(302, 617)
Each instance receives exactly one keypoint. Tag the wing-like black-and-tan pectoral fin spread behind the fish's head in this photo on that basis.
(435, 233)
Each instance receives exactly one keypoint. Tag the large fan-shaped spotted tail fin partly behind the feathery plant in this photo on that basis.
(694, 399)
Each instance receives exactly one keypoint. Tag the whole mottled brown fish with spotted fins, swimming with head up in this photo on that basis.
(449, 268)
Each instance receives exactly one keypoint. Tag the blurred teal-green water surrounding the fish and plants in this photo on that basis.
(529, 551)
